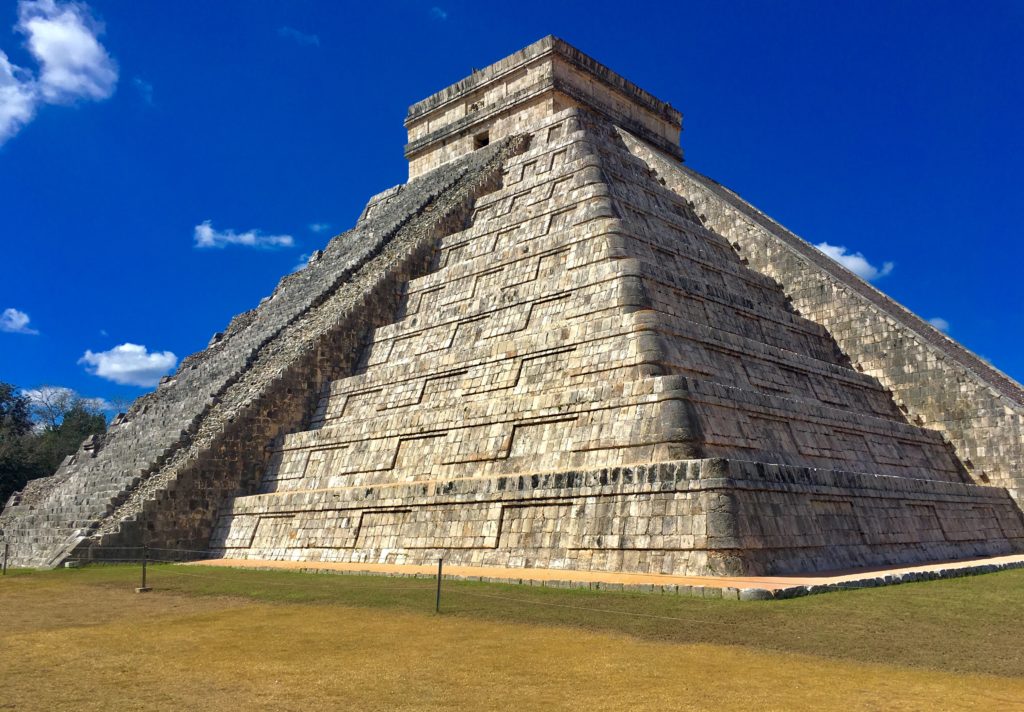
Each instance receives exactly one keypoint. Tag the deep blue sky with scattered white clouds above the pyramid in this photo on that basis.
(162, 165)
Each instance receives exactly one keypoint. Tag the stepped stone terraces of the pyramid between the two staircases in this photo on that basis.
(347, 491)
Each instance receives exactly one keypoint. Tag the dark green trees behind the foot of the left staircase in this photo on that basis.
(37, 436)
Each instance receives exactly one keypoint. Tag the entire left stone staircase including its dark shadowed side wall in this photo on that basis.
(168, 465)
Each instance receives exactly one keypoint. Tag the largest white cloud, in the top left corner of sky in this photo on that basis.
(73, 65)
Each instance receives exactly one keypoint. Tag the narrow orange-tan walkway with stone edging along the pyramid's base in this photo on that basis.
(755, 588)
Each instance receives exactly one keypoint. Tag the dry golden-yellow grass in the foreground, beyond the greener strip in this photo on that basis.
(69, 645)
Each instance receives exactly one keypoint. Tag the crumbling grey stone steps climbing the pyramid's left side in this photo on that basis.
(117, 480)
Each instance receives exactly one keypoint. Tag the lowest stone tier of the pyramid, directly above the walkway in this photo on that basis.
(693, 518)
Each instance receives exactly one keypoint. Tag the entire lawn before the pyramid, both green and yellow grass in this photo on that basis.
(217, 639)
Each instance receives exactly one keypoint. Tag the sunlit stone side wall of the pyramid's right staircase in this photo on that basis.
(937, 383)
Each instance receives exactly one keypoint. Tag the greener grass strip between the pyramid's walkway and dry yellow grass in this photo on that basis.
(966, 625)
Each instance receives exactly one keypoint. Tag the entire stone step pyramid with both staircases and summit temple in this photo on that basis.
(557, 347)
